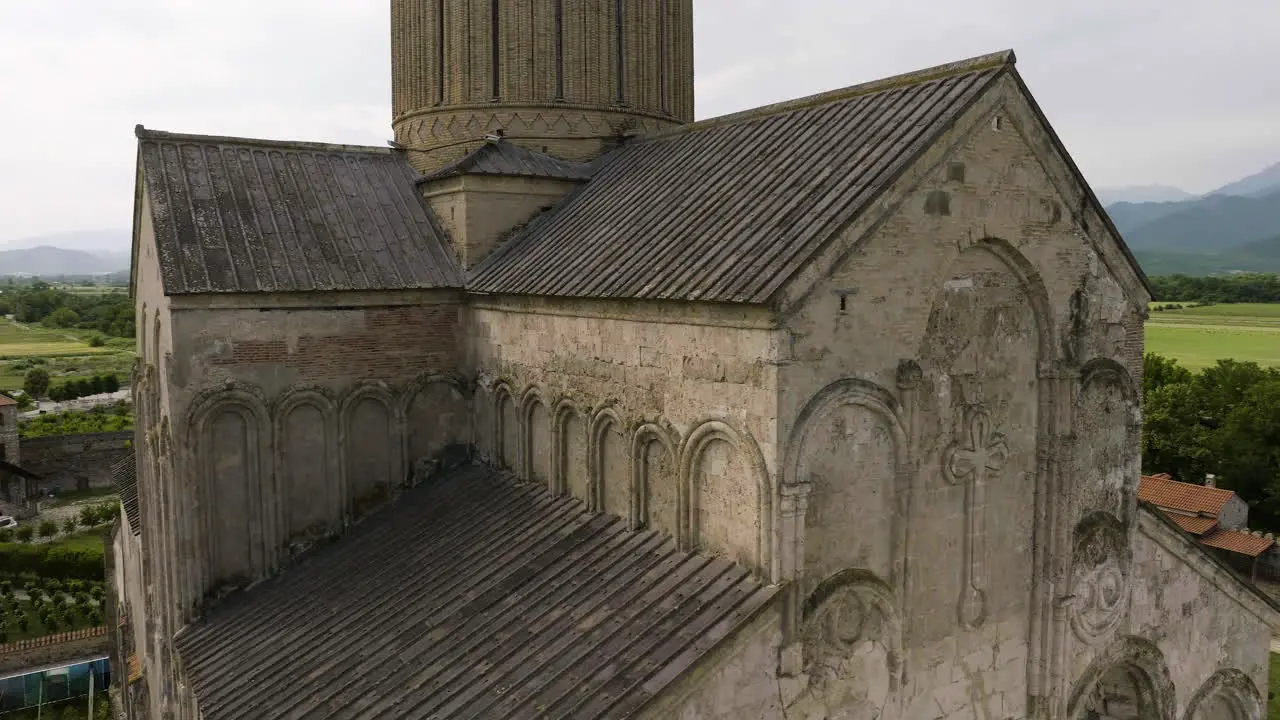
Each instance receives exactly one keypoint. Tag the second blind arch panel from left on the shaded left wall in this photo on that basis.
(312, 504)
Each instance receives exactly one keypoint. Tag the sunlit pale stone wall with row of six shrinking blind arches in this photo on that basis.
(623, 408)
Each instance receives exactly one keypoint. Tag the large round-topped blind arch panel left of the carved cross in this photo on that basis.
(851, 463)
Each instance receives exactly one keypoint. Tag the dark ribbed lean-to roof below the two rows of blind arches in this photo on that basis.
(472, 598)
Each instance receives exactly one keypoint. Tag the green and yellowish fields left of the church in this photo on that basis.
(65, 353)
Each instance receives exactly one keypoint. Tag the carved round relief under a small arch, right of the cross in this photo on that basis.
(1100, 577)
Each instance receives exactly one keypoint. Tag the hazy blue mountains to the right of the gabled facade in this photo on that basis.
(1233, 229)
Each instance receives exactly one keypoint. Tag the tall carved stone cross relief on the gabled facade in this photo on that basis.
(977, 455)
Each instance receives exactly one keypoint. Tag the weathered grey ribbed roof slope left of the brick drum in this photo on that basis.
(236, 216)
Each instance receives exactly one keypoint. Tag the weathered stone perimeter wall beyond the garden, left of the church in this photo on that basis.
(77, 462)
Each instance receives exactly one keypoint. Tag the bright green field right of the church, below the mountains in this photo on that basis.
(1197, 338)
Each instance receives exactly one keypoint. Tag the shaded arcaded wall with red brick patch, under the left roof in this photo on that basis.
(294, 417)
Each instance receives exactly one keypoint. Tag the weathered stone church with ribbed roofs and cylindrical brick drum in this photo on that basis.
(566, 405)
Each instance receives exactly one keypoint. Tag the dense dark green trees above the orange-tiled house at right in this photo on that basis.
(1224, 421)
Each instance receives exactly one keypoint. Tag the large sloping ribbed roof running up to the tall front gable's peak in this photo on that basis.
(730, 209)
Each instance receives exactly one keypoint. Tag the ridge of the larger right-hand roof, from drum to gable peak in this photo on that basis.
(1004, 58)
